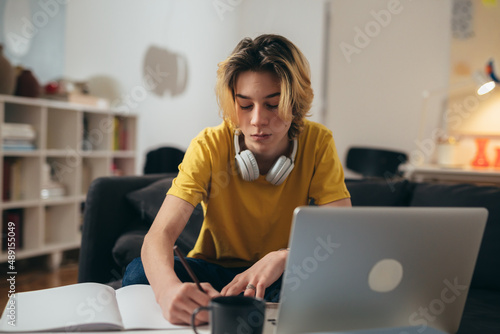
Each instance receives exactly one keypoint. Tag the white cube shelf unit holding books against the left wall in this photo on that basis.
(80, 143)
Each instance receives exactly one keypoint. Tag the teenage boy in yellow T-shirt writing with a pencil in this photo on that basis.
(249, 173)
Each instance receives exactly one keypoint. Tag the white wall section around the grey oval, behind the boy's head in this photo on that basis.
(109, 39)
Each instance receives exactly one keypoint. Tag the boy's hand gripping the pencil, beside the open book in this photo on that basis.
(179, 301)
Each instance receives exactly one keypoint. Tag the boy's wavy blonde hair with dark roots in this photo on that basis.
(268, 53)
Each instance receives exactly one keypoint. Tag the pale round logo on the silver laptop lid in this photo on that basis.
(385, 275)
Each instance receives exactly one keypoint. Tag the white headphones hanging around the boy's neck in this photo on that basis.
(249, 170)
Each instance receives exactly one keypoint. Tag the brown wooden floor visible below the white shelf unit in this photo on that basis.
(33, 275)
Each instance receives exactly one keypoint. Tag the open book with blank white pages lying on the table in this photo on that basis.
(84, 307)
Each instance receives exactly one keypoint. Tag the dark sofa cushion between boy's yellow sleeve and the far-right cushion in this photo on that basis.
(379, 192)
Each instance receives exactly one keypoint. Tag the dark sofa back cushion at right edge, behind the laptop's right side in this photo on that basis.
(487, 271)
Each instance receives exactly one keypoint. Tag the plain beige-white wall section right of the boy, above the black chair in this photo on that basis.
(375, 85)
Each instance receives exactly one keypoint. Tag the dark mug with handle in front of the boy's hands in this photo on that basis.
(234, 314)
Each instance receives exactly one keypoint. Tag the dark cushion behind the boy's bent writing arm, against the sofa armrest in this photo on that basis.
(148, 200)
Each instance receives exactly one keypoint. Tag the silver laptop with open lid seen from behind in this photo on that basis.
(379, 270)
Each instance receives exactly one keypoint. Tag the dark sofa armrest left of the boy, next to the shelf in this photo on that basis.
(108, 215)
